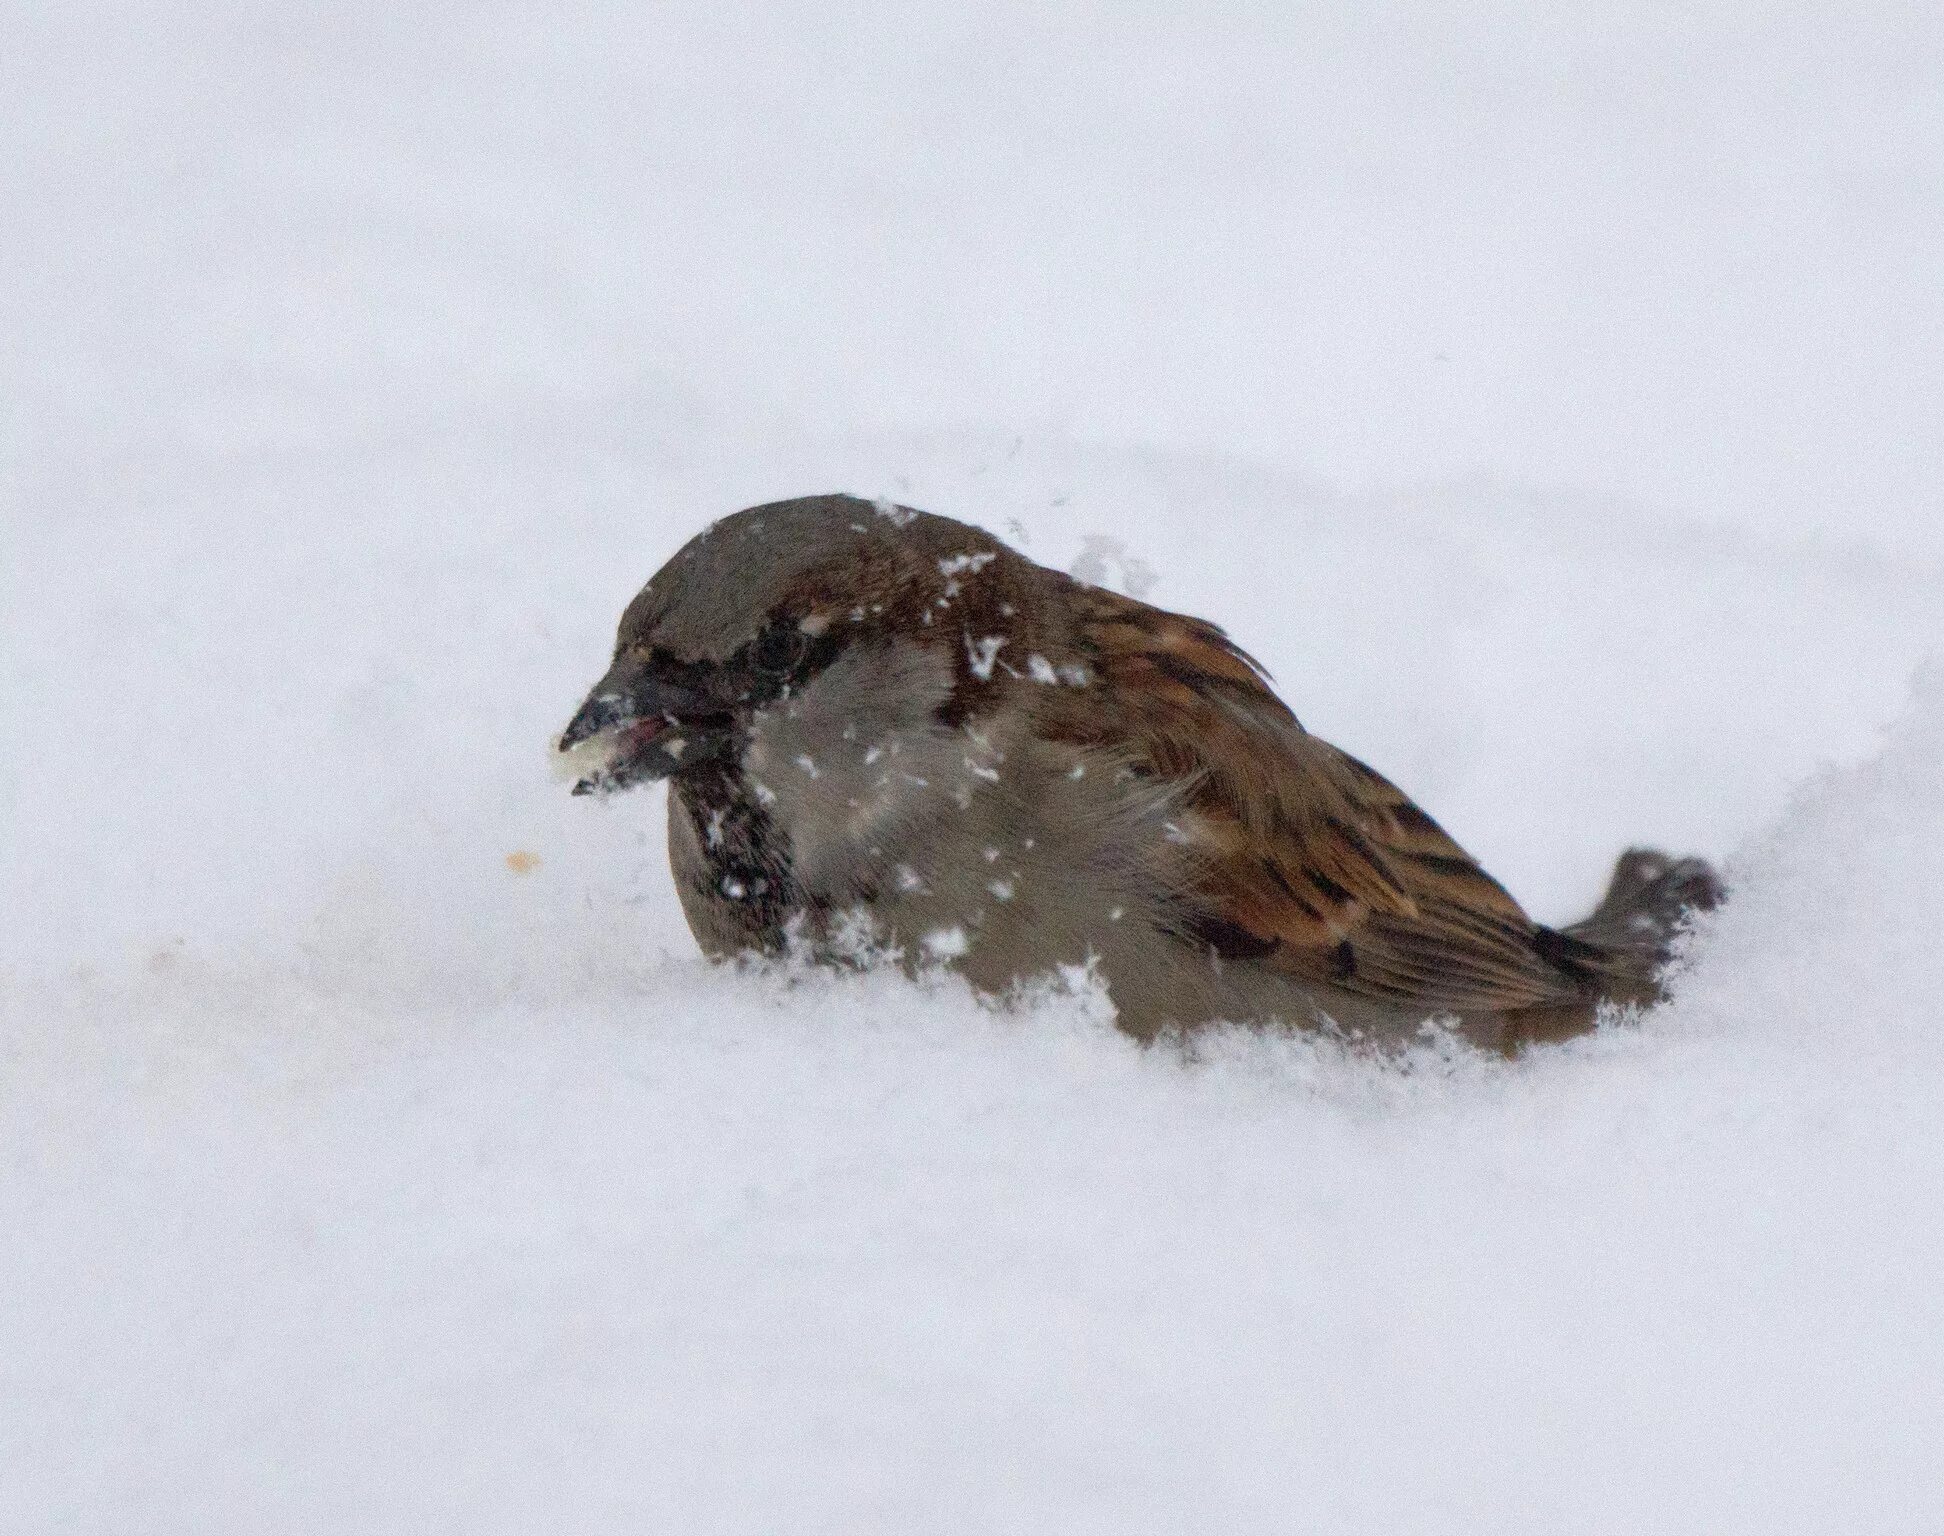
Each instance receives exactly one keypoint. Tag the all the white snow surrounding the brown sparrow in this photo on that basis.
(1546, 396)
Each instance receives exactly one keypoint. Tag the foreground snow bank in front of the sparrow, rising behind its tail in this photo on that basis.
(681, 1249)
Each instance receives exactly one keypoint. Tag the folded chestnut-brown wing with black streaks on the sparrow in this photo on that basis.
(1311, 862)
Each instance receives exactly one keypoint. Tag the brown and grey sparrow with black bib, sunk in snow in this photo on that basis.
(887, 730)
